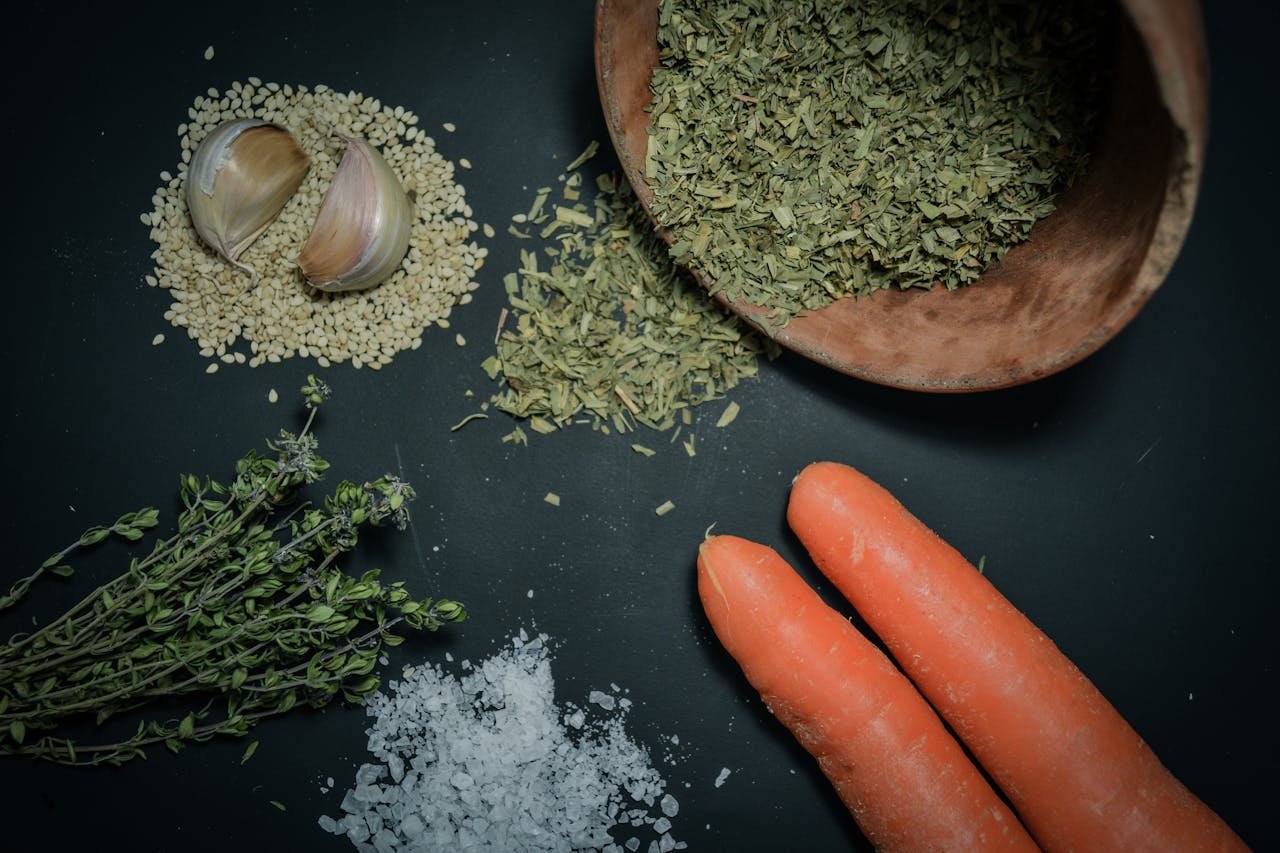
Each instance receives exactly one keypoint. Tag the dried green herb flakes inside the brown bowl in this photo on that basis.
(807, 150)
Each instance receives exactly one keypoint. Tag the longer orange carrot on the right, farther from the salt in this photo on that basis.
(1077, 774)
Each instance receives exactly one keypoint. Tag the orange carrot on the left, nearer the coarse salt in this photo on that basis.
(903, 777)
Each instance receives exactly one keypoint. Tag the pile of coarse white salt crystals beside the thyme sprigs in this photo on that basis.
(487, 761)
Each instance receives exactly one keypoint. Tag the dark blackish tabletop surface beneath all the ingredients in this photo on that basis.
(1127, 505)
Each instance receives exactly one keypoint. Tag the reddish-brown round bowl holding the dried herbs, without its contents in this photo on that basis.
(1085, 272)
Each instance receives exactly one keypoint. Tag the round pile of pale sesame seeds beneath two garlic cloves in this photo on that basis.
(236, 321)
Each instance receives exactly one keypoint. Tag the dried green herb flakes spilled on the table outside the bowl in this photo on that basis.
(609, 327)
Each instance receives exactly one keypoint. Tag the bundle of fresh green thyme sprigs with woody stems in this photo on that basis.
(240, 615)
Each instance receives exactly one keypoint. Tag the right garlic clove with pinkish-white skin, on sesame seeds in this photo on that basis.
(362, 234)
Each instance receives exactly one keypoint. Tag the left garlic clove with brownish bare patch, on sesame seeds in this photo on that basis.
(241, 177)
